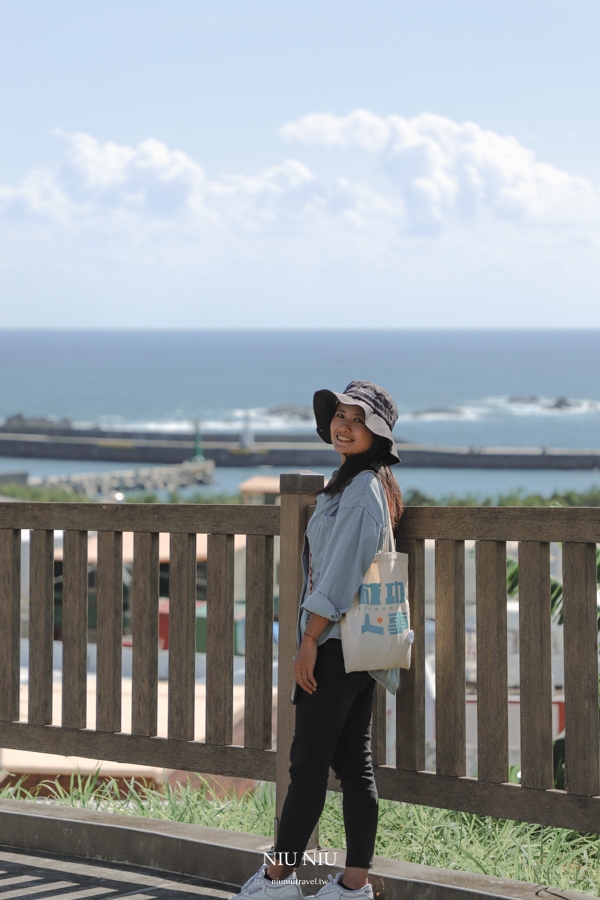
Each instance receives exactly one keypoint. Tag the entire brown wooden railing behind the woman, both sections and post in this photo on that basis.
(489, 793)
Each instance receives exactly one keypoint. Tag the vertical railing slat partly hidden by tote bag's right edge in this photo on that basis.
(410, 701)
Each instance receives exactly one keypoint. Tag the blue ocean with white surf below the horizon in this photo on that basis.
(463, 387)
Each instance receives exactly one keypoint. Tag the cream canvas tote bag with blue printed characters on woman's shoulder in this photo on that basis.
(376, 631)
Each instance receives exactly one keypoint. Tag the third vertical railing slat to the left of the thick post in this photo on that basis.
(182, 636)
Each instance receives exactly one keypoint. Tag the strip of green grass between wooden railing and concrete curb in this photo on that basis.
(499, 847)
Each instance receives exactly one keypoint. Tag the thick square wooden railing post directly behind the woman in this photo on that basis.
(297, 493)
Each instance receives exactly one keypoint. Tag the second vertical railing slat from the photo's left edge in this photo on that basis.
(41, 626)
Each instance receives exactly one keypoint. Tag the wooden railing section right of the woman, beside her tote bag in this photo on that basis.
(535, 799)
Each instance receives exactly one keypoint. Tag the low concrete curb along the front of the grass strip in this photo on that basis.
(229, 858)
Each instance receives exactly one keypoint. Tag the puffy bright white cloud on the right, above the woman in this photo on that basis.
(446, 172)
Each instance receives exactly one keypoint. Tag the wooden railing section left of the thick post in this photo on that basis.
(140, 744)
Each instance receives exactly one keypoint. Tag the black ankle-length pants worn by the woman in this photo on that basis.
(333, 728)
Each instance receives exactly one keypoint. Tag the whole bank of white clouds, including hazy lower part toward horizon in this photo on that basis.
(439, 206)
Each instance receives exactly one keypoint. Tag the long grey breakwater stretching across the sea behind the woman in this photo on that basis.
(269, 448)
